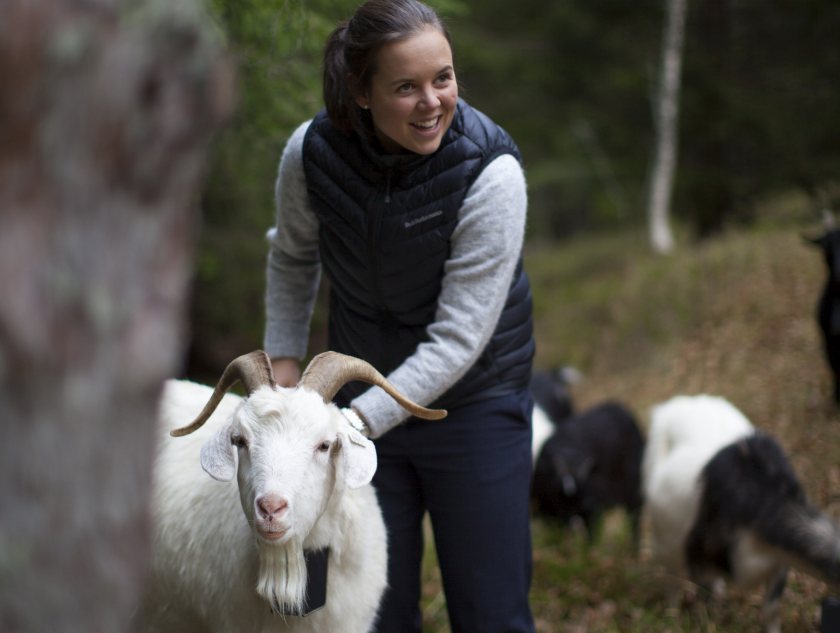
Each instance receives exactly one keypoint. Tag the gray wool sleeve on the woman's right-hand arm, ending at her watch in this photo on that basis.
(486, 246)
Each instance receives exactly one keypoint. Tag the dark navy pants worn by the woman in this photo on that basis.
(471, 472)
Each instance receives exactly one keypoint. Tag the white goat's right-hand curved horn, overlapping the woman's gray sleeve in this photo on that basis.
(330, 371)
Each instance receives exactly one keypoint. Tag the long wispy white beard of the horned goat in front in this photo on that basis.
(282, 576)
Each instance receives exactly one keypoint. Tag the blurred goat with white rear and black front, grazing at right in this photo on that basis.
(725, 504)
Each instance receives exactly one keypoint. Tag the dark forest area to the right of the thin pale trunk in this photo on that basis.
(758, 106)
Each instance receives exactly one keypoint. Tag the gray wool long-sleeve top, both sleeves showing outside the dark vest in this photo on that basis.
(486, 245)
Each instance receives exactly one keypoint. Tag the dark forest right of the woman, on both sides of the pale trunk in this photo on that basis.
(572, 81)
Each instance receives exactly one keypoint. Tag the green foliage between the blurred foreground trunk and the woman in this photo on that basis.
(276, 46)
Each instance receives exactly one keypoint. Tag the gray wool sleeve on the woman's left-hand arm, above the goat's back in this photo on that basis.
(293, 269)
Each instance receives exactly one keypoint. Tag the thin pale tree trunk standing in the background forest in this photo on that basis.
(667, 111)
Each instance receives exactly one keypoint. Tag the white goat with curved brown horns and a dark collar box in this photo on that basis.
(302, 482)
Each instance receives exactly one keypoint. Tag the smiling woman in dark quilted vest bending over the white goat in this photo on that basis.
(413, 204)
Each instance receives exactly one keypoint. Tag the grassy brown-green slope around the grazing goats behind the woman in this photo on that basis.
(733, 317)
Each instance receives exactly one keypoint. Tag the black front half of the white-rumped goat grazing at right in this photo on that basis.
(754, 521)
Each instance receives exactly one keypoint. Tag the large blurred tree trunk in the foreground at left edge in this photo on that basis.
(106, 111)
